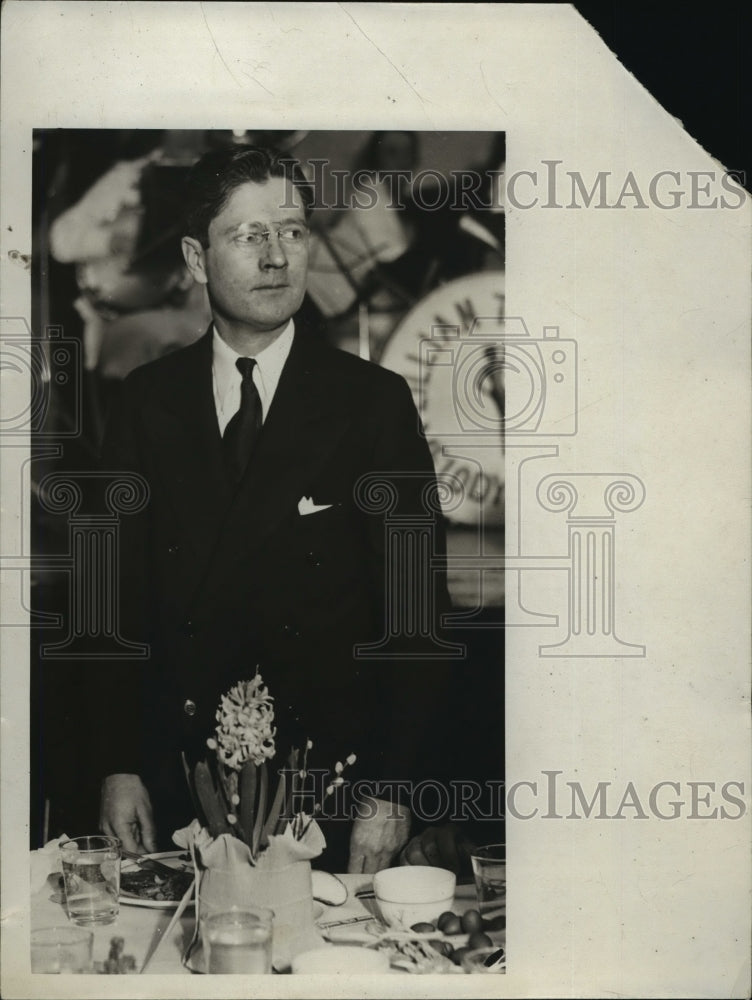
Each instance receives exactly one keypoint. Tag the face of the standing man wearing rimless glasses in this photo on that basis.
(254, 285)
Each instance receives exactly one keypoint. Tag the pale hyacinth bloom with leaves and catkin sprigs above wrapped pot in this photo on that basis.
(231, 792)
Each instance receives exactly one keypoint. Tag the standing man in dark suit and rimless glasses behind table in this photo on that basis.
(253, 547)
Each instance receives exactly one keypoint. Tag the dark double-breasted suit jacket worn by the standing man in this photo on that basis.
(219, 580)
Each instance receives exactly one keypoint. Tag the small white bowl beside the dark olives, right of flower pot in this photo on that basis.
(413, 894)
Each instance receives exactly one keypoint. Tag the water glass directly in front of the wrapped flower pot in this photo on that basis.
(238, 941)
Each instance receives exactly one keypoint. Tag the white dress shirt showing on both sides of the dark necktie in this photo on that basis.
(266, 374)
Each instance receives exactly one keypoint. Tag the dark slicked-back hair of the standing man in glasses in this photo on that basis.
(214, 177)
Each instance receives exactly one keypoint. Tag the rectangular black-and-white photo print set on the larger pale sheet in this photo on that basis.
(278, 547)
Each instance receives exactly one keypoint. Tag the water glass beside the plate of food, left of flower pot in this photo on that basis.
(91, 879)
